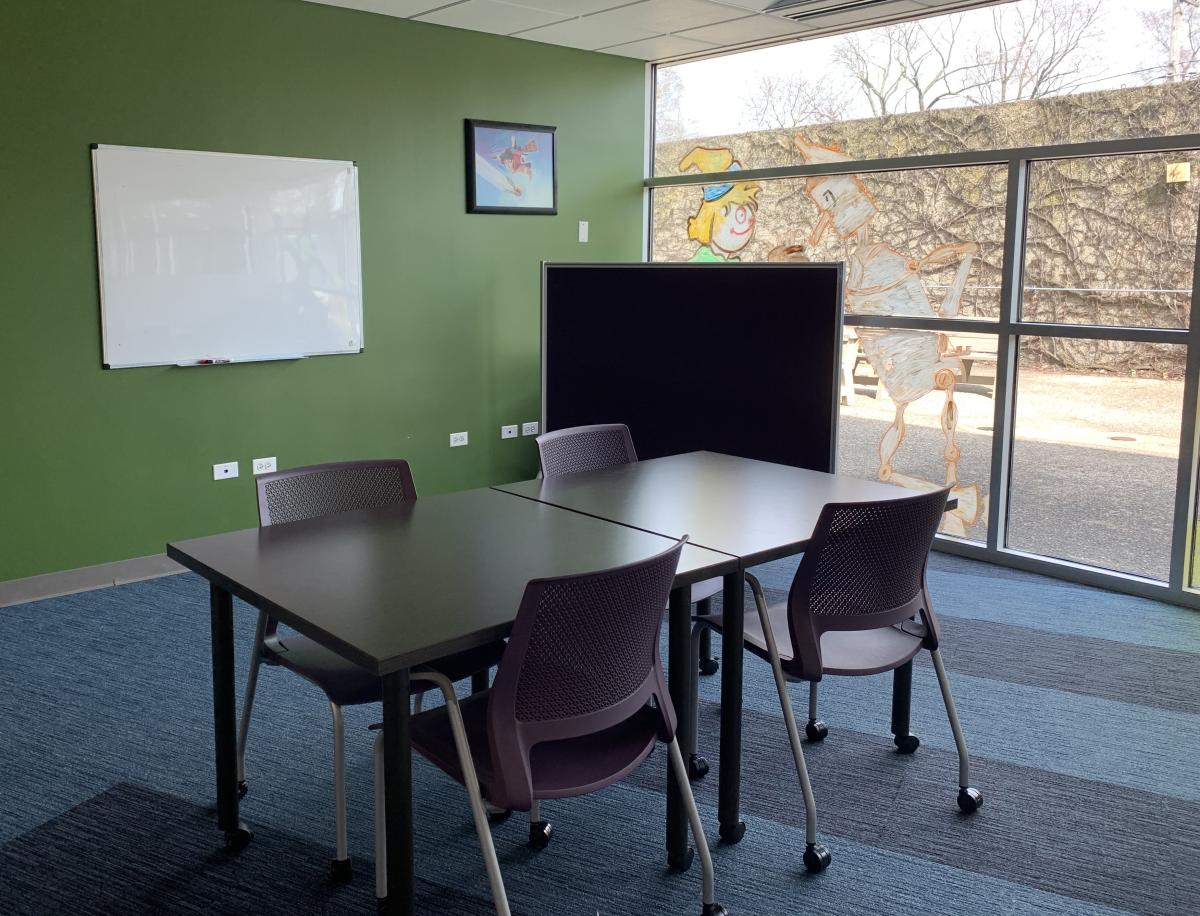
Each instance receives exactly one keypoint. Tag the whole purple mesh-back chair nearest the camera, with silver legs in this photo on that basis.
(578, 704)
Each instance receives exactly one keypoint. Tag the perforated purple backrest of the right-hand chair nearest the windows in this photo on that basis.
(871, 556)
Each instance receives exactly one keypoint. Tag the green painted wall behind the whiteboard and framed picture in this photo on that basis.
(98, 465)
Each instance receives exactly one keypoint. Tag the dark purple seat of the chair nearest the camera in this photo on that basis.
(560, 769)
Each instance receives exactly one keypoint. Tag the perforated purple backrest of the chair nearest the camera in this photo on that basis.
(593, 640)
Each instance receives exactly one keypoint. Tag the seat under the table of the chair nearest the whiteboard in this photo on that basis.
(347, 685)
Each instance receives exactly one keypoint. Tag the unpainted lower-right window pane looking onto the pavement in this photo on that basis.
(1095, 452)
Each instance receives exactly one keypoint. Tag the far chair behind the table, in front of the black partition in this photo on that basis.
(593, 448)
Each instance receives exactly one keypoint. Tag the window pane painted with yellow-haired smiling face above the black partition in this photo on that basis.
(922, 243)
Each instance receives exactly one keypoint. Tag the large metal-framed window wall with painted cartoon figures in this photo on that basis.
(1019, 259)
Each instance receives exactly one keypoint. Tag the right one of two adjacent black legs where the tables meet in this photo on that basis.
(730, 791)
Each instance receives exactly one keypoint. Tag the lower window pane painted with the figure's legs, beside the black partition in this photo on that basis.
(917, 410)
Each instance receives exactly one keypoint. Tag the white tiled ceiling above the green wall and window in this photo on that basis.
(659, 31)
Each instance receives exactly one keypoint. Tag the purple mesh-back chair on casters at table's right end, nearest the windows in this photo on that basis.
(859, 606)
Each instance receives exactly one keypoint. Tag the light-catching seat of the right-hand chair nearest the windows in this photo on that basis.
(843, 652)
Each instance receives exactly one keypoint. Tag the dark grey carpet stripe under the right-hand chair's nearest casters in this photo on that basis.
(1091, 841)
